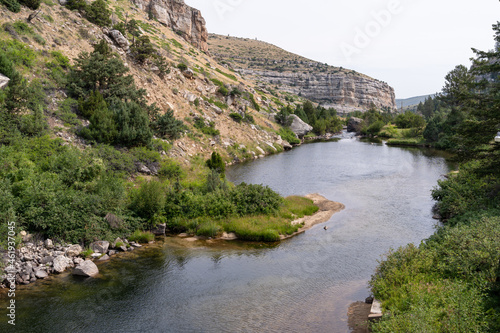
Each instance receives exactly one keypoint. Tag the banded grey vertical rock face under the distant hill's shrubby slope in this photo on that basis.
(344, 92)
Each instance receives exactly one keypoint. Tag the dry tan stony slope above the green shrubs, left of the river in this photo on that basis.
(192, 94)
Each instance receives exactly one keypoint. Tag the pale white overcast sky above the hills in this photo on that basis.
(410, 44)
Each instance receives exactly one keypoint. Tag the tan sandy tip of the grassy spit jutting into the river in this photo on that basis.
(326, 210)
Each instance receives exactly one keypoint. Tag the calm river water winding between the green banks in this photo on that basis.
(304, 284)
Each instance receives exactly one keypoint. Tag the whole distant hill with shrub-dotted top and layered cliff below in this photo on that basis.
(345, 90)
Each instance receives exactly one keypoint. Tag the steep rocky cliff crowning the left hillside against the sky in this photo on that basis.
(175, 14)
